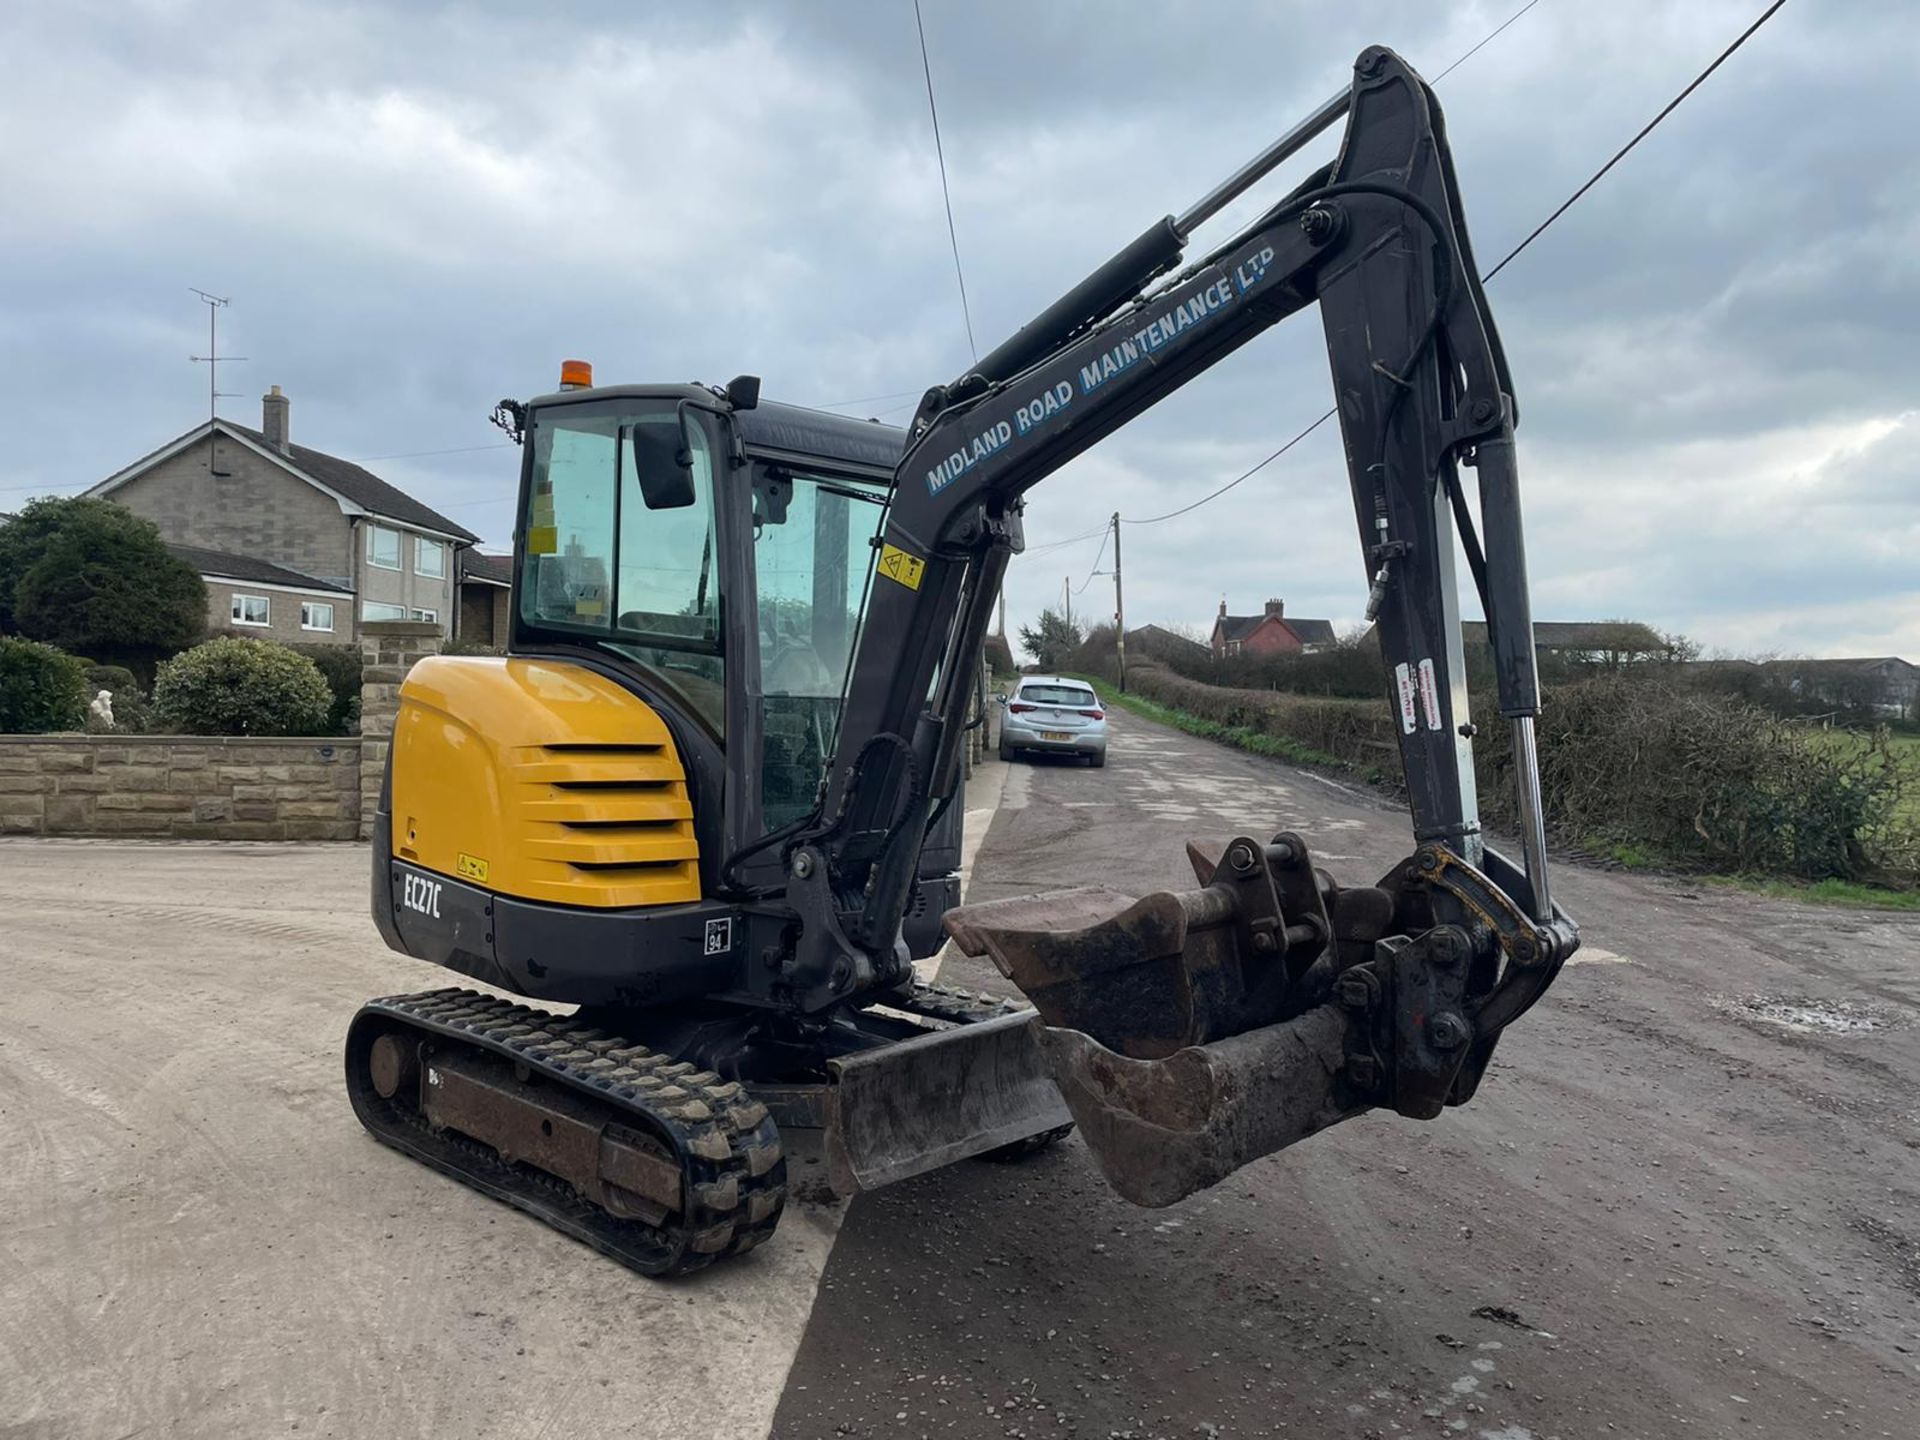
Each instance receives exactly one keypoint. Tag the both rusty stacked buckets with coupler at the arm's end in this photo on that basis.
(1195, 1034)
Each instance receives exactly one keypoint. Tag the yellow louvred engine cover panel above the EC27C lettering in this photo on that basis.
(540, 780)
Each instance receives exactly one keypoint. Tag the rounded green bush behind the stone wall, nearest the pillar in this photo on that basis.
(243, 688)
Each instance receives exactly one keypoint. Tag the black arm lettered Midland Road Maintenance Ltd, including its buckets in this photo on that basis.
(1268, 1003)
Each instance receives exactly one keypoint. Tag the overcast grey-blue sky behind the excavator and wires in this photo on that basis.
(423, 208)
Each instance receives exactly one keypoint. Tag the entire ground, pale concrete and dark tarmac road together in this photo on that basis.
(1687, 1201)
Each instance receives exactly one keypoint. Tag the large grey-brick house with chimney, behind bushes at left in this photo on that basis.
(235, 492)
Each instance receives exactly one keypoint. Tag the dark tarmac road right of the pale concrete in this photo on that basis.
(1666, 1214)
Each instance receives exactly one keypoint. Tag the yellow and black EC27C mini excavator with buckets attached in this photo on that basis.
(709, 796)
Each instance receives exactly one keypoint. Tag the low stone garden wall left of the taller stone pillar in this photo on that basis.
(181, 786)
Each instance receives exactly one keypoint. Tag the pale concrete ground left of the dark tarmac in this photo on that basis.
(197, 1237)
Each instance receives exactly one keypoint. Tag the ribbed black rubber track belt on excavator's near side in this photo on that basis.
(729, 1147)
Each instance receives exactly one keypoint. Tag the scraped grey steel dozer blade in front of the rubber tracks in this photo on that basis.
(926, 1103)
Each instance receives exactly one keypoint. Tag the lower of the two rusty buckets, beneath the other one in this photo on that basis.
(1163, 1130)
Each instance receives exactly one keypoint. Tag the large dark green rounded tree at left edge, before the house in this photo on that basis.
(97, 581)
